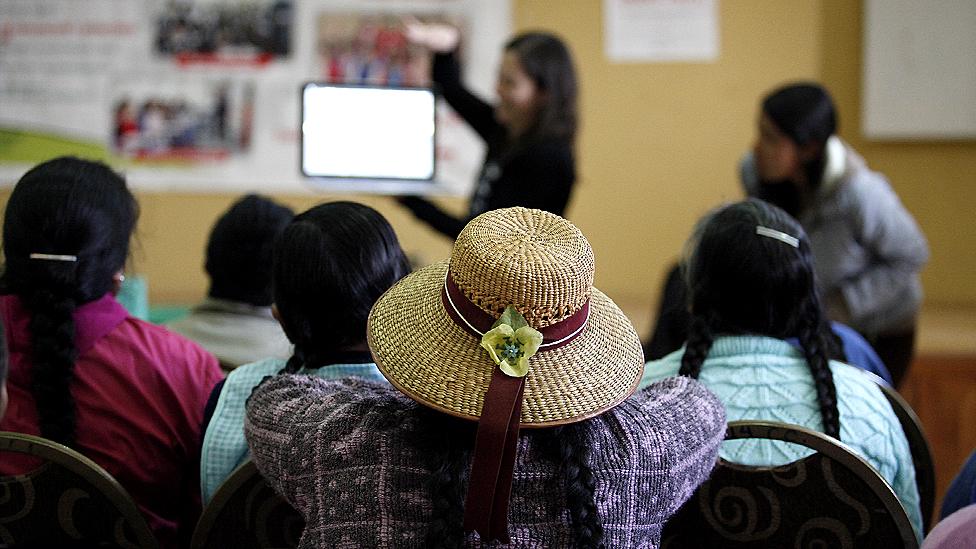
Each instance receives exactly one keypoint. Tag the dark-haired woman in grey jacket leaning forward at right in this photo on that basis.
(868, 250)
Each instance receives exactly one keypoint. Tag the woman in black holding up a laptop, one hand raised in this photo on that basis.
(529, 134)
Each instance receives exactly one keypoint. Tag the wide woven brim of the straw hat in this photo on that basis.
(428, 357)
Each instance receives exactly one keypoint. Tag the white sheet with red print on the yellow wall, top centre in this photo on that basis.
(661, 30)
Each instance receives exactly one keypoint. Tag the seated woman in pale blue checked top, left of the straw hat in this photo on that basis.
(331, 264)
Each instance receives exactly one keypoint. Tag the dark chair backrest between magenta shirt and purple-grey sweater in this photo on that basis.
(245, 513)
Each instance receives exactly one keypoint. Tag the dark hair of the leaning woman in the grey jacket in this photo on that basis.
(805, 113)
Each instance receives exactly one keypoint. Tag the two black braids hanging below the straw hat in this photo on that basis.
(449, 442)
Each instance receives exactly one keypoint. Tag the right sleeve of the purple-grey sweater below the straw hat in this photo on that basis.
(680, 427)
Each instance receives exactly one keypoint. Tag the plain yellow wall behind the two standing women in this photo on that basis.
(658, 147)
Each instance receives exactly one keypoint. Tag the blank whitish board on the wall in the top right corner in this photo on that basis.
(919, 80)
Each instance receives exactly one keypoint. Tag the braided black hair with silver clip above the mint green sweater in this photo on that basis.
(741, 282)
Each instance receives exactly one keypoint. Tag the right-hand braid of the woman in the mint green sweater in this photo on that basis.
(812, 335)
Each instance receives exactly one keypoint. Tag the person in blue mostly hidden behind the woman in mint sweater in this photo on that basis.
(671, 331)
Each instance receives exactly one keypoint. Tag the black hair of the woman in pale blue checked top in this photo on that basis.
(331, 264)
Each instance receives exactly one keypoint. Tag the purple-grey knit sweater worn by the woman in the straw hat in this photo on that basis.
(346, 455)
